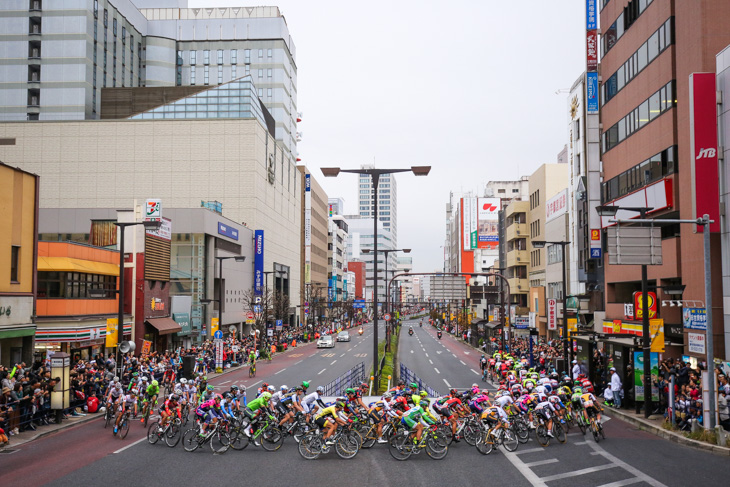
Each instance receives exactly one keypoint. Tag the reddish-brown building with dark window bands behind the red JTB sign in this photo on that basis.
(649, 50)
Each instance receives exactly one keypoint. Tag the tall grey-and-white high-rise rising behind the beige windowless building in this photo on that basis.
(58, 55)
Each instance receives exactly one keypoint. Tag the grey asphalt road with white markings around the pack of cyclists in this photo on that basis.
(88, 454)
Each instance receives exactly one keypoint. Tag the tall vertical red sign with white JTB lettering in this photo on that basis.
(703, 142)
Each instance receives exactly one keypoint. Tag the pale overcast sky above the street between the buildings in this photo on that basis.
(467, 87)
